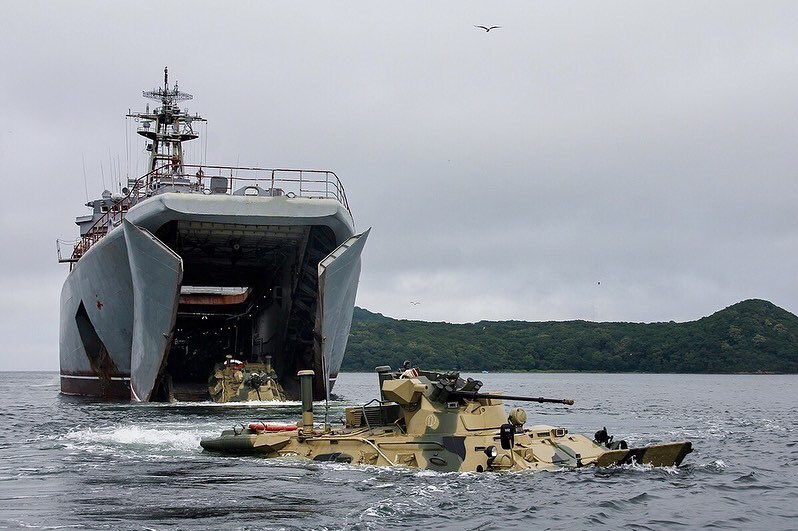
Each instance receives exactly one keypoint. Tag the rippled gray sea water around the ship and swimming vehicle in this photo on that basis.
(68, 462)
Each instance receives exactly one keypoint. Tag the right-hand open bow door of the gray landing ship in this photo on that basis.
(339, 273)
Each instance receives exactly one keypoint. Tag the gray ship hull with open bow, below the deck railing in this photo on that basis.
(187, 279)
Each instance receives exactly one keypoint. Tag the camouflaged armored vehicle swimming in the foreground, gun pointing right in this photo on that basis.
(438, 421)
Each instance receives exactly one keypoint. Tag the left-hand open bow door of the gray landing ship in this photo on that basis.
(156, 272)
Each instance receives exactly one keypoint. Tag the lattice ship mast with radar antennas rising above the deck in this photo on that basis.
(167, 127)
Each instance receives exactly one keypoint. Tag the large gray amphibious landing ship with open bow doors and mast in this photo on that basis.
(199, 270)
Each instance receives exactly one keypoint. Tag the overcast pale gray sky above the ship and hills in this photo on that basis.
(630, 161)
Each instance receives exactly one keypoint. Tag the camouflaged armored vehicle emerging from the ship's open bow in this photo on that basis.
(238, 381)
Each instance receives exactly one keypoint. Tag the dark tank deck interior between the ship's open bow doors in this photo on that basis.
(248, 292)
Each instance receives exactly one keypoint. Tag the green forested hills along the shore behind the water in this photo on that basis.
(751, 336)
